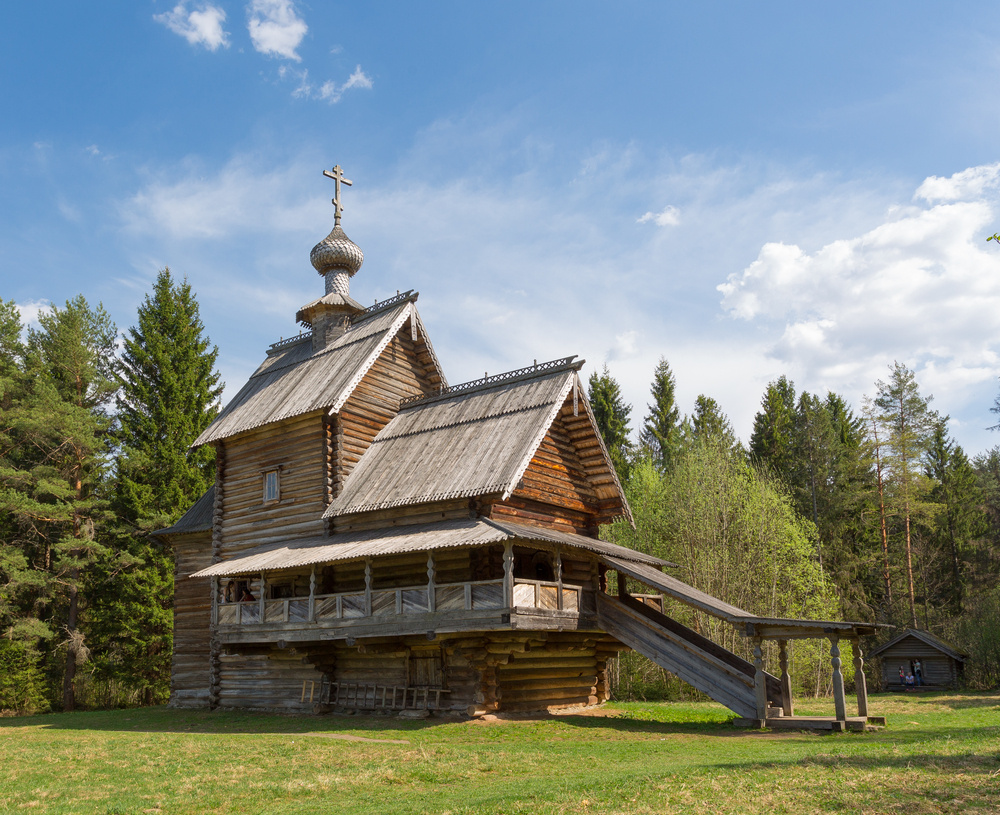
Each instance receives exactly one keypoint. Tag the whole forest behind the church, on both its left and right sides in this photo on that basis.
(868, 513)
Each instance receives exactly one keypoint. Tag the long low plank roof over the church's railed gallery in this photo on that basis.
(400, 540)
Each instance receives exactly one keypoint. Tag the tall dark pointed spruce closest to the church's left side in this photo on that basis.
(169, 394)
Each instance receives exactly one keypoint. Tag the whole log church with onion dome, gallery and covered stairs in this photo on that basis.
(377, 539)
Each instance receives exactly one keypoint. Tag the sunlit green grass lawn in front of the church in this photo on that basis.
(940, 753)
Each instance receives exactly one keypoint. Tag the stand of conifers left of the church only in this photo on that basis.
(94, 437)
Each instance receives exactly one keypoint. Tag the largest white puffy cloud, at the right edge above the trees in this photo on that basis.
(922, 287)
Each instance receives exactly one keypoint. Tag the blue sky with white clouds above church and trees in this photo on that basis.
(749, 190)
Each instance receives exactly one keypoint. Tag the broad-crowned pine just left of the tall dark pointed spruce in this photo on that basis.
(60, 434)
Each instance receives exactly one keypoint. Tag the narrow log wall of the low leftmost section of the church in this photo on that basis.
(190, 668)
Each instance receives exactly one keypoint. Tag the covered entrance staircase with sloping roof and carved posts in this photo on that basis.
(745, 688)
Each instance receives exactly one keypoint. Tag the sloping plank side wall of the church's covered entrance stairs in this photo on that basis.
(701, 663)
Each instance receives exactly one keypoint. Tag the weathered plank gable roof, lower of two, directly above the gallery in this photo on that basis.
(471, 440)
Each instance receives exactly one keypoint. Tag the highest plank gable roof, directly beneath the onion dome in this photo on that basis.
(294, 380)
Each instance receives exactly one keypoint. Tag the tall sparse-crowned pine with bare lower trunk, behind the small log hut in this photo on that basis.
(908, 422)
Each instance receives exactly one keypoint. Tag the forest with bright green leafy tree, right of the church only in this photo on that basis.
(872, 514)
